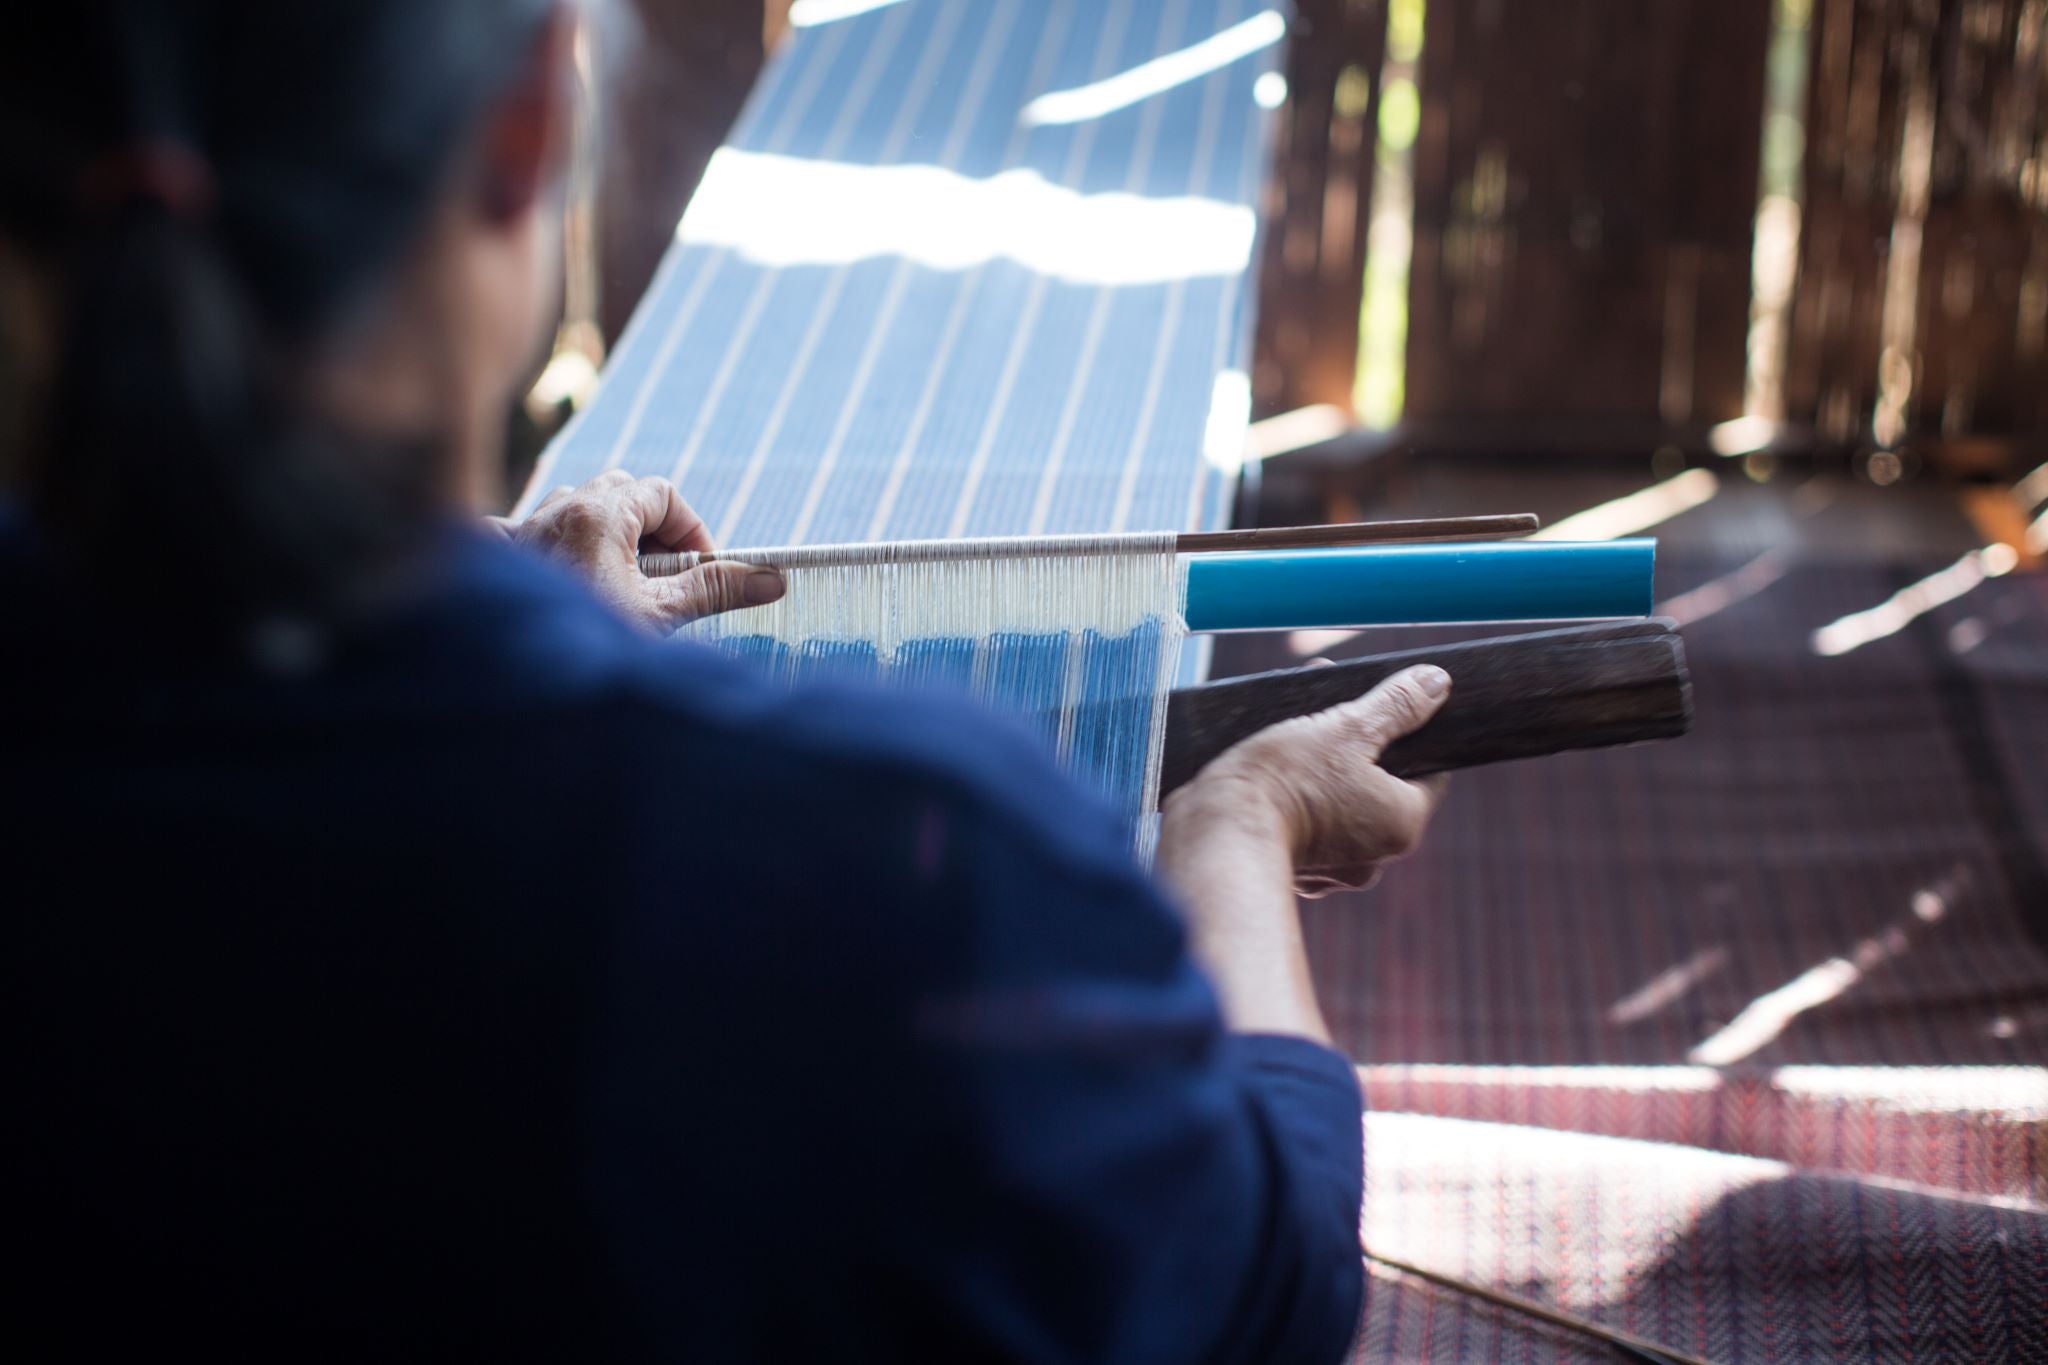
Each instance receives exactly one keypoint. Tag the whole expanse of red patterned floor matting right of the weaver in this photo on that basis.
(1736, 1041)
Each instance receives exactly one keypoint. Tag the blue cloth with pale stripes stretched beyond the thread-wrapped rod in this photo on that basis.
(970, 322)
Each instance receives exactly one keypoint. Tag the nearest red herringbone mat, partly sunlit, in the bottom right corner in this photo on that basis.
(1727, 1258)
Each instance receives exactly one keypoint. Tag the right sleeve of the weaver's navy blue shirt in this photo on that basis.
(1125, 1180)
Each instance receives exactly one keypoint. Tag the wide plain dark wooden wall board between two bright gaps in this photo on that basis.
(1586, 185)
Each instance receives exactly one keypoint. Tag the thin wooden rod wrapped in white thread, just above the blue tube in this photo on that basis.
(1187, 543)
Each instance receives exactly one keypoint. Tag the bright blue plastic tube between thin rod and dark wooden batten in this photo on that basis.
(1420, 584)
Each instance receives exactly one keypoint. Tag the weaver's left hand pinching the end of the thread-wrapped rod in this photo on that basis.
(603, 527)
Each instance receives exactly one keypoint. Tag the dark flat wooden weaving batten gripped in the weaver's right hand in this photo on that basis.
(1510, 699)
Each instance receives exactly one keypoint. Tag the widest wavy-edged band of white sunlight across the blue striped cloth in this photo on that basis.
(794, 212)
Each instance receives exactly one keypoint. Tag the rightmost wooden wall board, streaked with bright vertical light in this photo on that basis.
(1924, 261)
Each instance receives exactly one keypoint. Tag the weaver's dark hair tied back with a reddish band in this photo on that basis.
(208, 187)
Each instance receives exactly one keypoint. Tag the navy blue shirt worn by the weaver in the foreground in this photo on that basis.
(497, 983)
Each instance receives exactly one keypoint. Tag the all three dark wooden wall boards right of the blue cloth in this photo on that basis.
(1586, 185)
